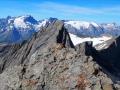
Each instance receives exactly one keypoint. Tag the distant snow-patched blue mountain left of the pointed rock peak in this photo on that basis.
(18, 29)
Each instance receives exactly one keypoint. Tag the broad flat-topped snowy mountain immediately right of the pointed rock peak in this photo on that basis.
(85, 29)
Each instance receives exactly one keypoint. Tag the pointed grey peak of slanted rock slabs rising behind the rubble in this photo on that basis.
(49, 36)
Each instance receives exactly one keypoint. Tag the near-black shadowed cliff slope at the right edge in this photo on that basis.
(109, 57)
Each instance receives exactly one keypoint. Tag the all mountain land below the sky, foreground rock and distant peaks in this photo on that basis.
(54, 54)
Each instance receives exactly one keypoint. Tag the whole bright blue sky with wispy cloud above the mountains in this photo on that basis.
(87, 10)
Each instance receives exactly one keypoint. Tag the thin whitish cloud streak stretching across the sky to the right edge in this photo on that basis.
(71, 9)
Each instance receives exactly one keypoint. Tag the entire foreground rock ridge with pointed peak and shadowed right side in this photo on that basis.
(50, 61)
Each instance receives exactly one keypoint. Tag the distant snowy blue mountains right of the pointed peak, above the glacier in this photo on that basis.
(92, 29)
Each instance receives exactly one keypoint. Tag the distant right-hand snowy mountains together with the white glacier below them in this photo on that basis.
(82, 31)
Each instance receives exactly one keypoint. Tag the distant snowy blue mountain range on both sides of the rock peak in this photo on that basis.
(18, 29)
